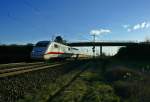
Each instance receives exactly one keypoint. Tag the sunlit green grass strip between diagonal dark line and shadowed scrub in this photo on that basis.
(89, 87)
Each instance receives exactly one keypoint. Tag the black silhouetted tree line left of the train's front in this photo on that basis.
(15, 53)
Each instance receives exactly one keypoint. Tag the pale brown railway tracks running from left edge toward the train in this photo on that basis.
(26, 68)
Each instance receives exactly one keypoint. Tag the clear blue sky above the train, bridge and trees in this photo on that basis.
(28, 21)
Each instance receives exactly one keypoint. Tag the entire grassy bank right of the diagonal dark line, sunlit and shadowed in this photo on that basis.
(110, 80)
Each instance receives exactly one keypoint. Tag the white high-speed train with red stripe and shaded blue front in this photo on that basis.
(52, 50)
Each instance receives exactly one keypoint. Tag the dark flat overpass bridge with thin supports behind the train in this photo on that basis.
(101, 44)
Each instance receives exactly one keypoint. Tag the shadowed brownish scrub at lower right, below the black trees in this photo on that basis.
(130, 79)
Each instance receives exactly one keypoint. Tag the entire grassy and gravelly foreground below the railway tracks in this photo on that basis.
(93, 80)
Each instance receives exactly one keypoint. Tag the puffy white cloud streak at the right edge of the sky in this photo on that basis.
(140, 26)
